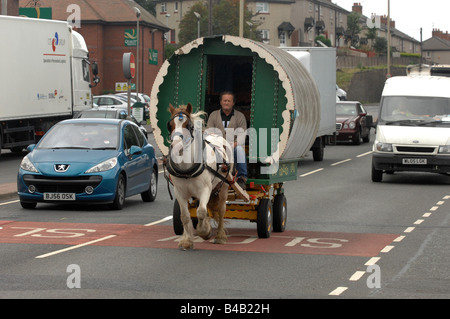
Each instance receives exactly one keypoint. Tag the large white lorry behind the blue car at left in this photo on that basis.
(45, 78)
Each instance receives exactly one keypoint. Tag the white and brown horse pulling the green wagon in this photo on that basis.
(193, 171)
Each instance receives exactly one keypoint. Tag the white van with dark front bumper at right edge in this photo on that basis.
(413, 131)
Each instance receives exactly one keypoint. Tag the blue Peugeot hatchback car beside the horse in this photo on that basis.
(89, 160)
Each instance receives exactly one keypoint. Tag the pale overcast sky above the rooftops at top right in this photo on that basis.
(409, 15)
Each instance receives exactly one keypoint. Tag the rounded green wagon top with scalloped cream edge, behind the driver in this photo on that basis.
(272, 89)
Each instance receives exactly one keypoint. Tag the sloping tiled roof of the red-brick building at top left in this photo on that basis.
(100, 11)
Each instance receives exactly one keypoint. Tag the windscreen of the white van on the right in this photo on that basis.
(411, 108)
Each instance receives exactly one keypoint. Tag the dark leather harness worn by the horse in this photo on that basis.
(197, 168)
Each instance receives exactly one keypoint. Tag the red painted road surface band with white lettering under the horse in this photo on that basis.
(161, 236)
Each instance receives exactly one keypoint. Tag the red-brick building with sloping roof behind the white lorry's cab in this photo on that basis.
(103, 26)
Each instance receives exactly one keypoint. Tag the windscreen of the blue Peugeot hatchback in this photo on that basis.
(81, 136)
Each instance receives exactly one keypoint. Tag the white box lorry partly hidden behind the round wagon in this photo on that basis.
(321, 64)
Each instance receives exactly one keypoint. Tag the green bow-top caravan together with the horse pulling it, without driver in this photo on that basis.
(281, 104)
